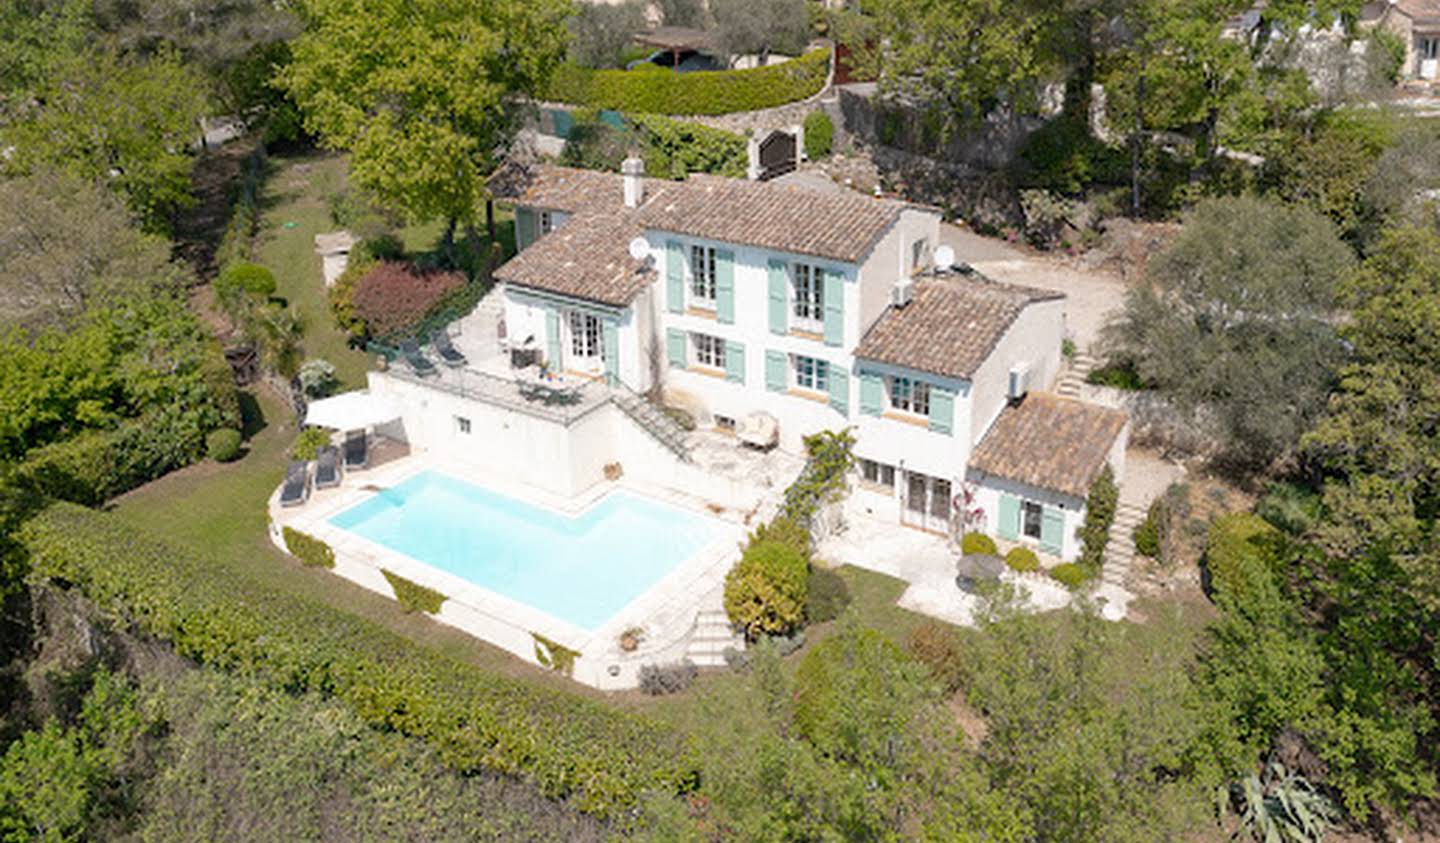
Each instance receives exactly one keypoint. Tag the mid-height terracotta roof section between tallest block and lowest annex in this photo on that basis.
(951, 325)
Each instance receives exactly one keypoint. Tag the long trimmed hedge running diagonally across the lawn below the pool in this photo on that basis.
(570, 747)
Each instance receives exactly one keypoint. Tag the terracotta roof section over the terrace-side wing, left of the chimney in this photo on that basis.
(588, 257)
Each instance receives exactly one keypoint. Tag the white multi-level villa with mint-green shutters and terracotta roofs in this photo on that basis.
(823, 311)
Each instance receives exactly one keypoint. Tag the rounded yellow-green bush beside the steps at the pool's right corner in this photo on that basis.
(765, 592)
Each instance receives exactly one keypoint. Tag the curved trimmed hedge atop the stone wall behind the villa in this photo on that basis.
(702, 93)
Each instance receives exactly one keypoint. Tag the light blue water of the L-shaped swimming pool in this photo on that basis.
(581, 570)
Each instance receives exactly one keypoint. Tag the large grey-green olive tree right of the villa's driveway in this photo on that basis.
(1232, 324)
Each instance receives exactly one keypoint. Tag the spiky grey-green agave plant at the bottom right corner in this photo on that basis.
(1279, 806)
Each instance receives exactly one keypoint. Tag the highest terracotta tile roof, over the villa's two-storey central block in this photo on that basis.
(842, 227)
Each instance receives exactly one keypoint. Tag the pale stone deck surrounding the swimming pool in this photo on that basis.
(666, 612)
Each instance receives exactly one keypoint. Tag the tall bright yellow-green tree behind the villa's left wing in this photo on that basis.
(423, 94)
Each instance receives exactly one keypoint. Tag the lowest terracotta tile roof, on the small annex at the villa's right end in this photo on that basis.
(1050, 443)
